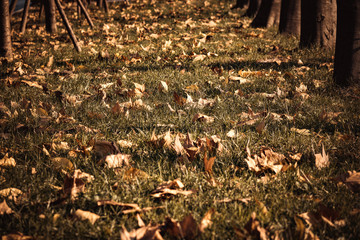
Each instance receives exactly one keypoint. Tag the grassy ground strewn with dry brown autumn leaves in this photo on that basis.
(177, 120)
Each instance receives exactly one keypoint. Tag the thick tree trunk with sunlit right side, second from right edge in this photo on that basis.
(318, 23)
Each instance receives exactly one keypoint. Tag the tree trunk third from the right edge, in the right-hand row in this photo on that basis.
(290, 17)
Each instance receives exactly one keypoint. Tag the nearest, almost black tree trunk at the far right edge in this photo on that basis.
(347, 51)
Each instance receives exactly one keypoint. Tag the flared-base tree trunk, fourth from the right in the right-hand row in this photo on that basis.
(268, 14)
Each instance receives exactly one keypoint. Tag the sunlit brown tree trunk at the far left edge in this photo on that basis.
(5, 35)
